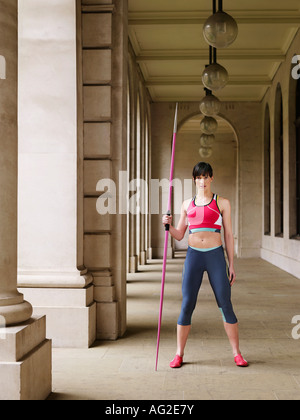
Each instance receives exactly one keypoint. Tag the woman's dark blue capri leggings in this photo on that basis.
(212, 261)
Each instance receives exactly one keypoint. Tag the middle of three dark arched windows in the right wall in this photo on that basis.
(278, 164)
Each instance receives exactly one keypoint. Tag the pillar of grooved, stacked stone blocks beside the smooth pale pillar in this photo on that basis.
(102, 106)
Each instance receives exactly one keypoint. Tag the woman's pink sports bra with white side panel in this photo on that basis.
(207, 218)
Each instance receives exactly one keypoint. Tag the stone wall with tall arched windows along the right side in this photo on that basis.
(283, 250)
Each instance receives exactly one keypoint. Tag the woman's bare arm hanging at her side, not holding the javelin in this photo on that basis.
(225, 208)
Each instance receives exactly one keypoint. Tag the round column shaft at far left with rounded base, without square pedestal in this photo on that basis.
(12, 306)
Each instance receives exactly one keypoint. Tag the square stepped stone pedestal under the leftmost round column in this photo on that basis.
(25, 361)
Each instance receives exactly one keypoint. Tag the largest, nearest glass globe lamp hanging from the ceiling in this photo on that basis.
(220, 30)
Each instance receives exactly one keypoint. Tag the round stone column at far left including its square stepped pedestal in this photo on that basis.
(25, 354)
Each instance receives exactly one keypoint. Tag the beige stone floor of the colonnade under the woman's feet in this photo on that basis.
(265, 300)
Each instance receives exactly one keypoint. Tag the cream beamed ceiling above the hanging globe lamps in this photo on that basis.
(167, 39)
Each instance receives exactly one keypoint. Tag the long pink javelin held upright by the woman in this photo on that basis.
(166, 236)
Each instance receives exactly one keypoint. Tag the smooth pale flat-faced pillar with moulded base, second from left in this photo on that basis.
(51, 271)
